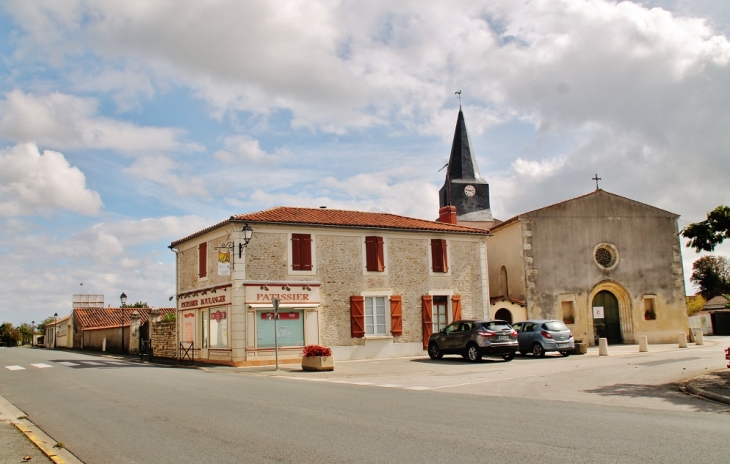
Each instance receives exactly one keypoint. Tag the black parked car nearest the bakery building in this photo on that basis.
(473, 339)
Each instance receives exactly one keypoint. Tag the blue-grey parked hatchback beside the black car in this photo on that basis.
(540, 336)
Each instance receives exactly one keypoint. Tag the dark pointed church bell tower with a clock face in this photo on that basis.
(464, 188)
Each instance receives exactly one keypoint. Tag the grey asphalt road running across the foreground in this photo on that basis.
(621, 408)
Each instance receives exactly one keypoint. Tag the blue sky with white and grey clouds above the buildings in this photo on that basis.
(125, 125)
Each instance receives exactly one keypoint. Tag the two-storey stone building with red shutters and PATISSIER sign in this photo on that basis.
(368, 285)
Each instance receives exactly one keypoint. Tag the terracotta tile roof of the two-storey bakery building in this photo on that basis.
(327, 217)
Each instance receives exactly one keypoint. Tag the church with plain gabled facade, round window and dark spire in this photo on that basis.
(608, 266)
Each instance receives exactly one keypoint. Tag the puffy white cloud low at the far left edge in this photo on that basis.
(31, 183)
